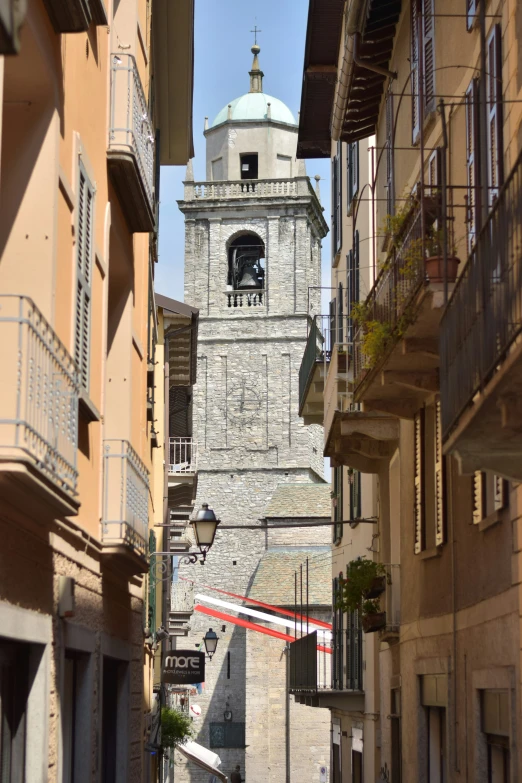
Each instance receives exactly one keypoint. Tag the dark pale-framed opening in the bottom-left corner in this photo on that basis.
(14, 692)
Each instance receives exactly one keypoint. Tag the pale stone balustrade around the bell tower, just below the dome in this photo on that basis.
(227, 190)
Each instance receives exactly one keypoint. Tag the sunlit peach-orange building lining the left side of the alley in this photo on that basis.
(83, 101)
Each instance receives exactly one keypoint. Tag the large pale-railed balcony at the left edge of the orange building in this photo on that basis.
(39, 413)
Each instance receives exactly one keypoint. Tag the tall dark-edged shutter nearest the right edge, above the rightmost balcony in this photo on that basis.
(494, 113)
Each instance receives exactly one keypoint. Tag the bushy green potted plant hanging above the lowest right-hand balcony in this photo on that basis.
(365, 580)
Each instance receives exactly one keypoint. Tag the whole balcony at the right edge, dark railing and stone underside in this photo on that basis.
(481, 346)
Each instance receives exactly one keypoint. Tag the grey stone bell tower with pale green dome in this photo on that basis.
(253, 234)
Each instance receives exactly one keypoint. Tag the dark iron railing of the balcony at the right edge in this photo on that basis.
(484, 316)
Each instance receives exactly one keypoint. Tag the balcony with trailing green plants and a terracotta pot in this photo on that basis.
(396, 352)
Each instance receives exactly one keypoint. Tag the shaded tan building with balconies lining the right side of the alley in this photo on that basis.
(432, 89)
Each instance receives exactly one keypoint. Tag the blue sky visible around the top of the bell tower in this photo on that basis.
(221, 64)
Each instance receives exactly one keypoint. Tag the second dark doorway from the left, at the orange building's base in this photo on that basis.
(75, 712)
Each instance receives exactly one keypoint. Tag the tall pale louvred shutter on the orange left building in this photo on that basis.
(84, 254)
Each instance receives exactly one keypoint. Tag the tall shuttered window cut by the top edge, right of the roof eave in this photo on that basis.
(422, 43)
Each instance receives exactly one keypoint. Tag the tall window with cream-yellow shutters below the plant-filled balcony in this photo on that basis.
(429, 479)
